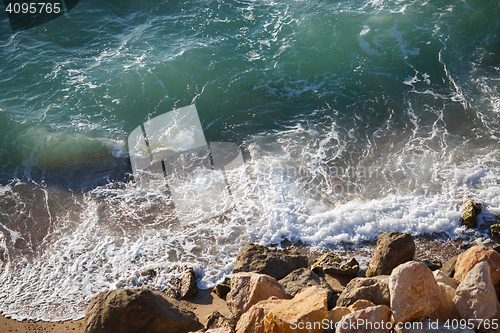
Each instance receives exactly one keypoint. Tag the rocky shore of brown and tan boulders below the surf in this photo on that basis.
(292, 290)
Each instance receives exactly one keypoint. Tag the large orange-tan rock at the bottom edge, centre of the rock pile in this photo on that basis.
(304, 313)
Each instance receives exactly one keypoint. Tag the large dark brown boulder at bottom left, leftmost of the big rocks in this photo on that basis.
(136, 311)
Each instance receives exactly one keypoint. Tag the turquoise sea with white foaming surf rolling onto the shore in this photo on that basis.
(354, 117)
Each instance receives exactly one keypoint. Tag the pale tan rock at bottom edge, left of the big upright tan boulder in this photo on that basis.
(375, 319)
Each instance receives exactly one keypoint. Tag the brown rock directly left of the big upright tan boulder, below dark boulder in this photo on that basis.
(375, 290)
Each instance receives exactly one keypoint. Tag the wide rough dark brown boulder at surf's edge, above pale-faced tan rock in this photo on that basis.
(268, 260)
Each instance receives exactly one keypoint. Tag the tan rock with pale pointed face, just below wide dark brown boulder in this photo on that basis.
(248, 289)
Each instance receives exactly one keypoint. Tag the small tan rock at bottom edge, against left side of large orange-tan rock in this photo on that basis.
(252, 320)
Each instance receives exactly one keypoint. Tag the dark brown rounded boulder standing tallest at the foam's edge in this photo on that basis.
(392, 250)
